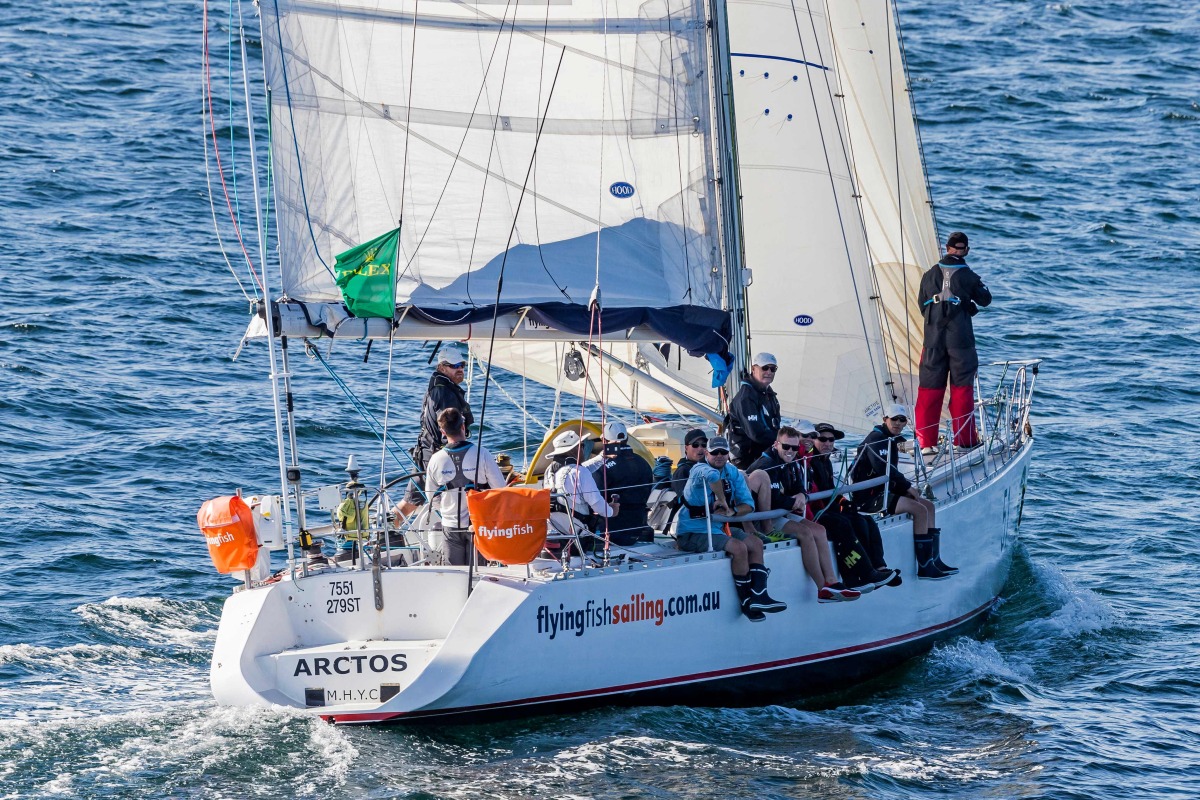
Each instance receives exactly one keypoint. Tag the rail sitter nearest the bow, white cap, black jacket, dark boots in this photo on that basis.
(879, 456)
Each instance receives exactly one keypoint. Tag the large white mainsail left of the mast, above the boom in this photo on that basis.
(431, 112)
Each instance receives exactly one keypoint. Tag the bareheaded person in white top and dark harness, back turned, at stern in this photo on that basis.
(458, 467)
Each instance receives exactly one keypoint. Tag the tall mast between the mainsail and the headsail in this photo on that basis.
(737, 278)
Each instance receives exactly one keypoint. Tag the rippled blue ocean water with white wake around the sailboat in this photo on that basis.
(1063, 137)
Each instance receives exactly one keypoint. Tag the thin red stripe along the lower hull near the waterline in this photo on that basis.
(664, 682)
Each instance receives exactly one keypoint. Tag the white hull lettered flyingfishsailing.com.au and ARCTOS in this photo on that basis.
(319, 642)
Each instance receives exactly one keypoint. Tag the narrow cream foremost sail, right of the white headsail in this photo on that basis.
(897, 212)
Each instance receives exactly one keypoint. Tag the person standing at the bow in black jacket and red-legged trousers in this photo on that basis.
(951, 294)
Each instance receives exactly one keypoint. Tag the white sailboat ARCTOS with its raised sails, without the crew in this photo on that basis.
(621, 201)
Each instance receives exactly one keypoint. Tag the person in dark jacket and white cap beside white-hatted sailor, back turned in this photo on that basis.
(620, 472)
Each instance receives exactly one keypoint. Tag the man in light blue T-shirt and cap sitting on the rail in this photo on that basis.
(710, 488)
